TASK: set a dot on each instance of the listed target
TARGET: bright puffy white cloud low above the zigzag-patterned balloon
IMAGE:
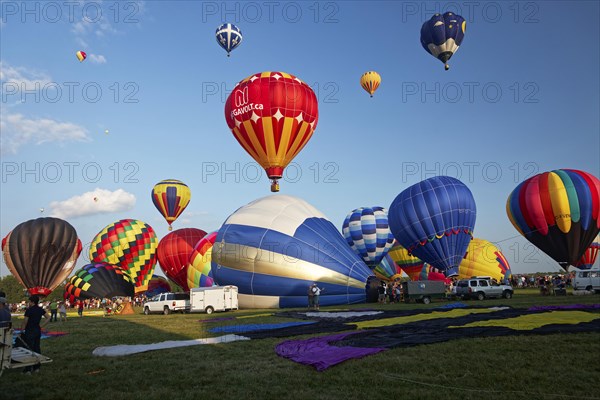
(98, 201)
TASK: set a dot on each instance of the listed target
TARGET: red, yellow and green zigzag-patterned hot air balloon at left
(129, 244)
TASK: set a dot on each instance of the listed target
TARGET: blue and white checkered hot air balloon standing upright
(367, 231)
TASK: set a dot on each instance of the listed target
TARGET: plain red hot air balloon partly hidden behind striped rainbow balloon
(174, 253)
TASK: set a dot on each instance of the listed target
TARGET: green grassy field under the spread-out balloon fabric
(560, 366)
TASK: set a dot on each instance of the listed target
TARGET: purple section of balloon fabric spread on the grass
(318, 353)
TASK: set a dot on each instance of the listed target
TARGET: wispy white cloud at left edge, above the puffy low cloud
(18, 131)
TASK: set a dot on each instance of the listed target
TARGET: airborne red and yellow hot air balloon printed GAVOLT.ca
(272, 115)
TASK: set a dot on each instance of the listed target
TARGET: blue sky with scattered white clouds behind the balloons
(522, 96)
